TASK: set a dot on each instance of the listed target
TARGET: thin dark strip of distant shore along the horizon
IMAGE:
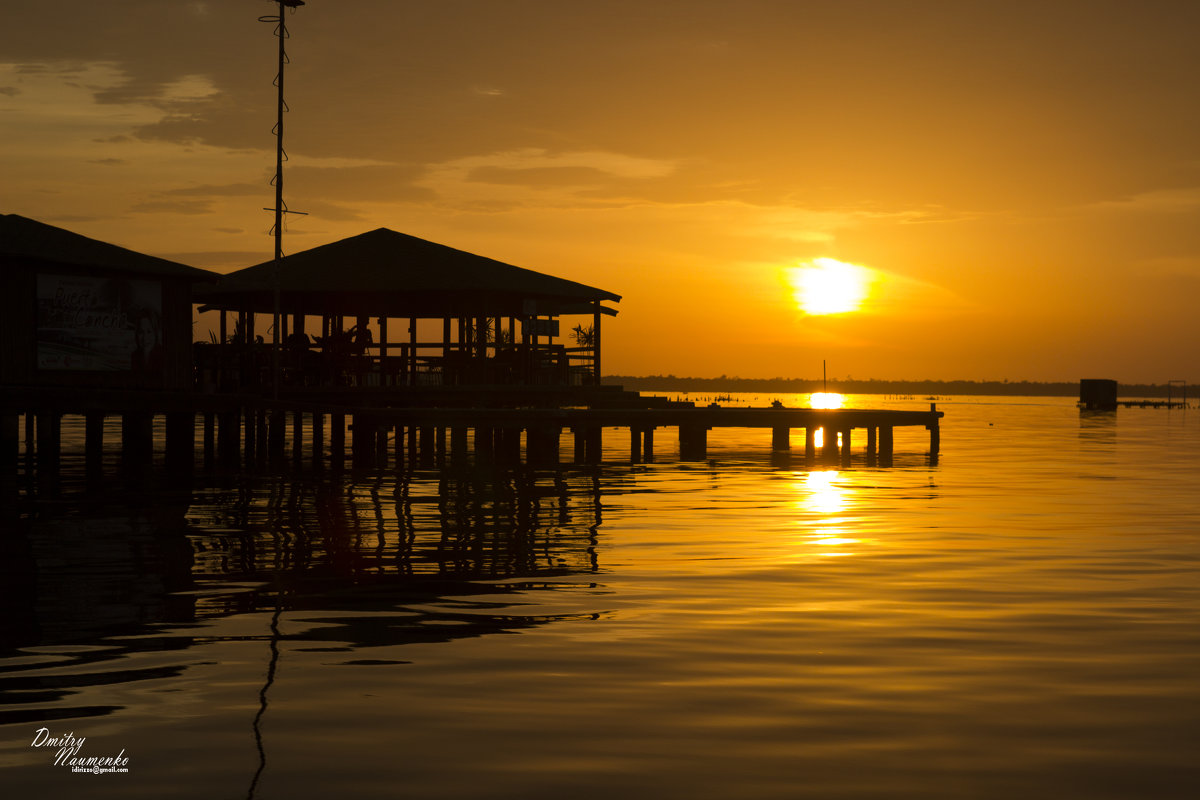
(914, 388)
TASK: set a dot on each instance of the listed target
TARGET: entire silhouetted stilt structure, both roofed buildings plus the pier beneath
(395, 352)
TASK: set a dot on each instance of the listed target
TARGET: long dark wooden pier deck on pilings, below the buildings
(230, 432)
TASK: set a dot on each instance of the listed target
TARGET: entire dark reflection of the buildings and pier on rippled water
(399, 562)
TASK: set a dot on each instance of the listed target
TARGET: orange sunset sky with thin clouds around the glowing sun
(1017, 184)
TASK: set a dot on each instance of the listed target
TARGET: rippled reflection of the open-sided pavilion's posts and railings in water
(466, 525)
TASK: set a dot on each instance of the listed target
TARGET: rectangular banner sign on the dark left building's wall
(99, 324)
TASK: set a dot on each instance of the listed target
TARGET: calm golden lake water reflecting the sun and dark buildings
(1021, 619)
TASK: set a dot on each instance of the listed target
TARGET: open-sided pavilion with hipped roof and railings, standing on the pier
(388, 310)
